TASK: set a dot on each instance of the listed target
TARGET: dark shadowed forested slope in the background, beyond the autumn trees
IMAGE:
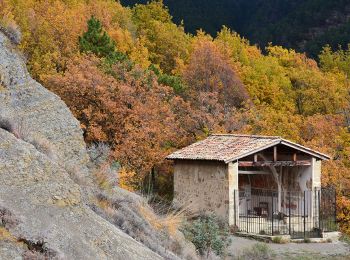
(305, 25)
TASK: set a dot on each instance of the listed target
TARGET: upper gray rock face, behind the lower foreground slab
(42, 112)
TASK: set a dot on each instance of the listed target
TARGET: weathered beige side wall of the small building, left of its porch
(204, 185)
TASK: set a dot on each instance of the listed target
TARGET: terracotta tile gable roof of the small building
(227, 148)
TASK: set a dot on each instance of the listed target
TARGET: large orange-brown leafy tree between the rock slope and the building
(133, 115)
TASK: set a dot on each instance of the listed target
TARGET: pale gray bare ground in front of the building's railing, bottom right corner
(335, 250)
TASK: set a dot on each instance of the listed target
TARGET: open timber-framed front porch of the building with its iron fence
(279, 193)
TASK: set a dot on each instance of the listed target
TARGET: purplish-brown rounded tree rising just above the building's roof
(214, 88)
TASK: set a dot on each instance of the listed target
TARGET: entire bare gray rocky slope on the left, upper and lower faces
(42, 212)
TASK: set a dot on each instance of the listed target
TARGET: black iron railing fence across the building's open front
(300, 214)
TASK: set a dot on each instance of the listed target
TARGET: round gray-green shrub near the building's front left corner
(208, 234)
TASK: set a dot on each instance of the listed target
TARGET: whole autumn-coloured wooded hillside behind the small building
(156, 88)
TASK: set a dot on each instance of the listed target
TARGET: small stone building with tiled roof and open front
(245, 177)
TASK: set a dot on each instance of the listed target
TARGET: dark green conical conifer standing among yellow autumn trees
(96, 40)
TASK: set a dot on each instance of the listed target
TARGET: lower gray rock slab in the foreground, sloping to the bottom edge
(47, 207)
